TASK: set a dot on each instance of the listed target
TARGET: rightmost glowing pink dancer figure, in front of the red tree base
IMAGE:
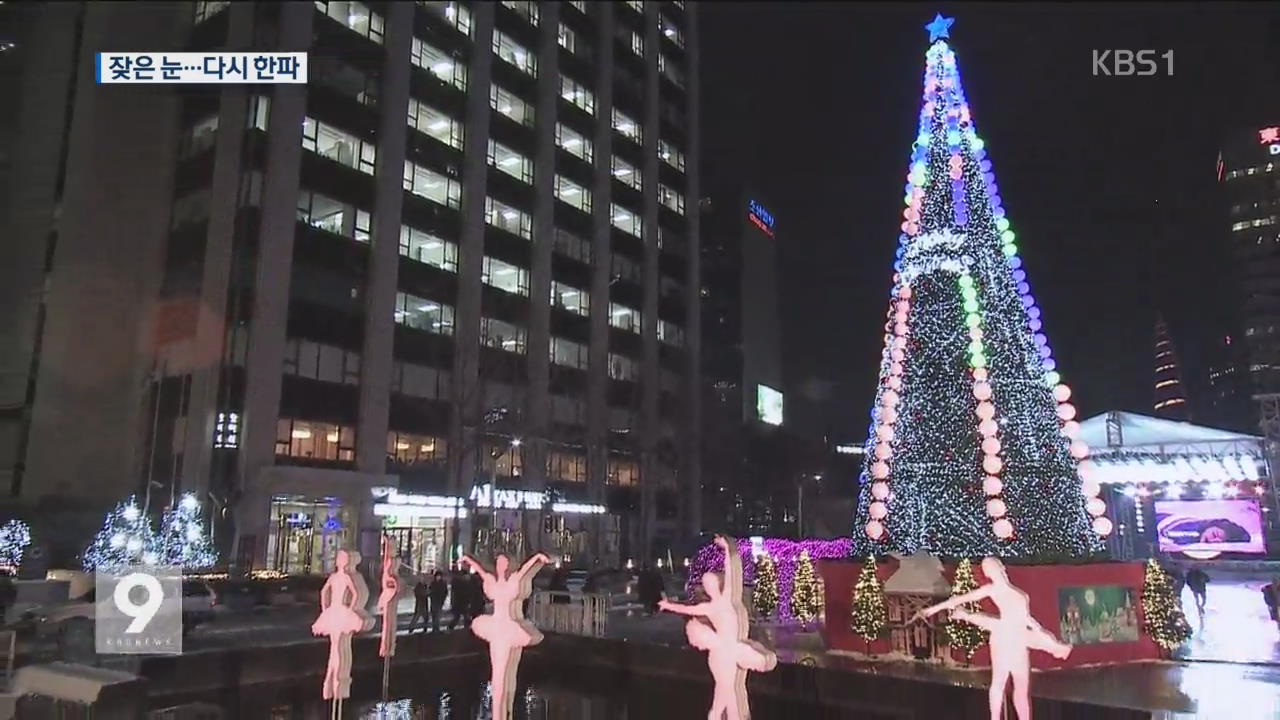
(1014, 634)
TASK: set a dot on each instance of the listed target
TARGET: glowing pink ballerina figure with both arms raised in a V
(506, 631)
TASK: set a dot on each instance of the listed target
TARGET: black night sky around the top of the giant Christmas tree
(1109, 181)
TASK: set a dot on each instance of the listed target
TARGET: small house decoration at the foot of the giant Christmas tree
(917, 585)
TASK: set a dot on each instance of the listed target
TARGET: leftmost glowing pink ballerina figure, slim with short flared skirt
(342, 614)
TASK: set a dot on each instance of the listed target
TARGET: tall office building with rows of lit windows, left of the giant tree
(444, 290)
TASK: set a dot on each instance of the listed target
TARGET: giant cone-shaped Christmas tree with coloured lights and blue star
(972, 445)
